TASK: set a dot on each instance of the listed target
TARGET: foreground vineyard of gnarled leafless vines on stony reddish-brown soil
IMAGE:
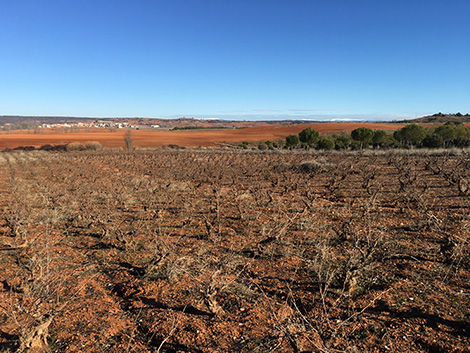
(212, 251)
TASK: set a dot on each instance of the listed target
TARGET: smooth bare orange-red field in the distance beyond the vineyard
(189, 138)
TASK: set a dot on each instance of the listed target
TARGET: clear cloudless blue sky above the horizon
(235, 59)
